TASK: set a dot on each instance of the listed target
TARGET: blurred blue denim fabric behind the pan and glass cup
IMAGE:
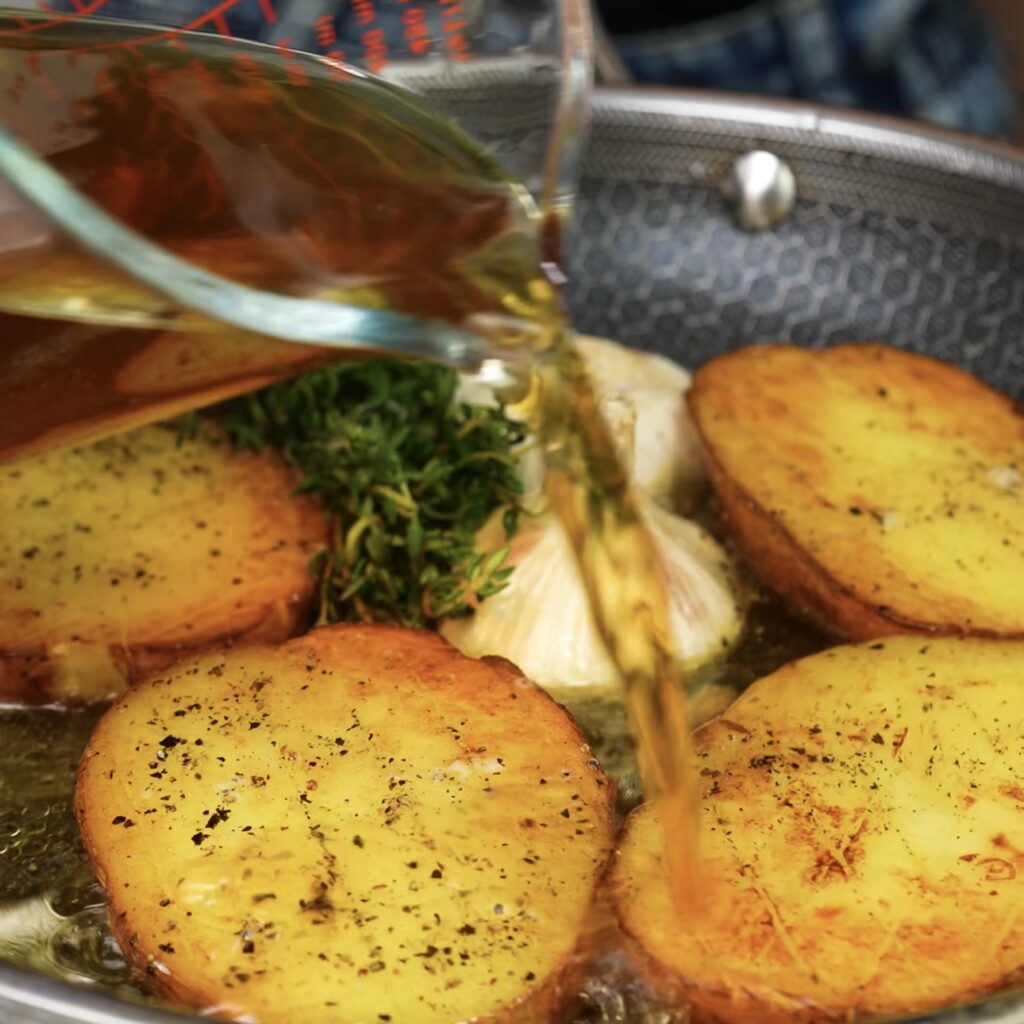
(934, 60)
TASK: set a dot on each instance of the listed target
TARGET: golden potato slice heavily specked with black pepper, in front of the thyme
(359, 826)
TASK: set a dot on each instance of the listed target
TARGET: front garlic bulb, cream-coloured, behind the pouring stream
(542, 621)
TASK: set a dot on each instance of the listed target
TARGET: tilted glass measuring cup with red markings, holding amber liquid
(142, 300)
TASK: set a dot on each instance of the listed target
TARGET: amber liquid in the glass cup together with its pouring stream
(287, 175)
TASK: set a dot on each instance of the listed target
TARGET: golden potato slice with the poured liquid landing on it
(864, 839)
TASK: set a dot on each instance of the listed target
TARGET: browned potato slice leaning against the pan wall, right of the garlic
(879, 491)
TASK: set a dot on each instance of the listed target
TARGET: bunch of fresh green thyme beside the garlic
(407, 477)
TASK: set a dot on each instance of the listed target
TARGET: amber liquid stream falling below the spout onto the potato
(590, 493)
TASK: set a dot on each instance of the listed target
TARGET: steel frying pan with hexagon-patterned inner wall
(901, 234)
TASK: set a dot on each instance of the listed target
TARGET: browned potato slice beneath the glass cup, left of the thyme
(118, 558)
